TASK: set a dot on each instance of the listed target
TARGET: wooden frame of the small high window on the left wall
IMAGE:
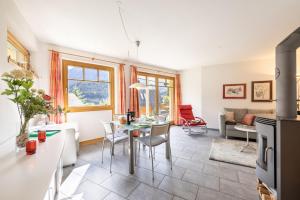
(21, 48)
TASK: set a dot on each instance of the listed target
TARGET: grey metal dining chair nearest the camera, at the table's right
(159, 134)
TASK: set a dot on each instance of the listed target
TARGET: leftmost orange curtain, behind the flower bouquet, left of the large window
(56, 87)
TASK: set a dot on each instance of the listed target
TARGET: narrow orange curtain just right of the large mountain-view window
(122, 90)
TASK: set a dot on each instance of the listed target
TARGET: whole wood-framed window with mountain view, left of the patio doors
(88, 87)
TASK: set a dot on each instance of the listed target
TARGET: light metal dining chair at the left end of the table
(113, 136)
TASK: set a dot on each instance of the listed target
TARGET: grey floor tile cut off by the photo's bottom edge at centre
(146, 192)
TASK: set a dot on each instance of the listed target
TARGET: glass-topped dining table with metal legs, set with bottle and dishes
(136, 126)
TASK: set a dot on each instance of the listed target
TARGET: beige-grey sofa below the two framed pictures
(229, 130)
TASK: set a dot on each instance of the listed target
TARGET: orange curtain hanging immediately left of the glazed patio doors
(134, 95)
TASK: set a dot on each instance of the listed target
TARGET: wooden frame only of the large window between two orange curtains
(65, 64)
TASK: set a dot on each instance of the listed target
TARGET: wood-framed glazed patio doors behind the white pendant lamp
(158, 98)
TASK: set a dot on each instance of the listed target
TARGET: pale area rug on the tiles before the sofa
(229, 151)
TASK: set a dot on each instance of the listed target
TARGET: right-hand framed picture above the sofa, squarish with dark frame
(261, 91)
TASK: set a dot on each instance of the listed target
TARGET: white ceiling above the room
(174, 34)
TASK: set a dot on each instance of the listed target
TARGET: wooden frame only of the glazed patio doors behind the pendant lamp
(157, 77)
